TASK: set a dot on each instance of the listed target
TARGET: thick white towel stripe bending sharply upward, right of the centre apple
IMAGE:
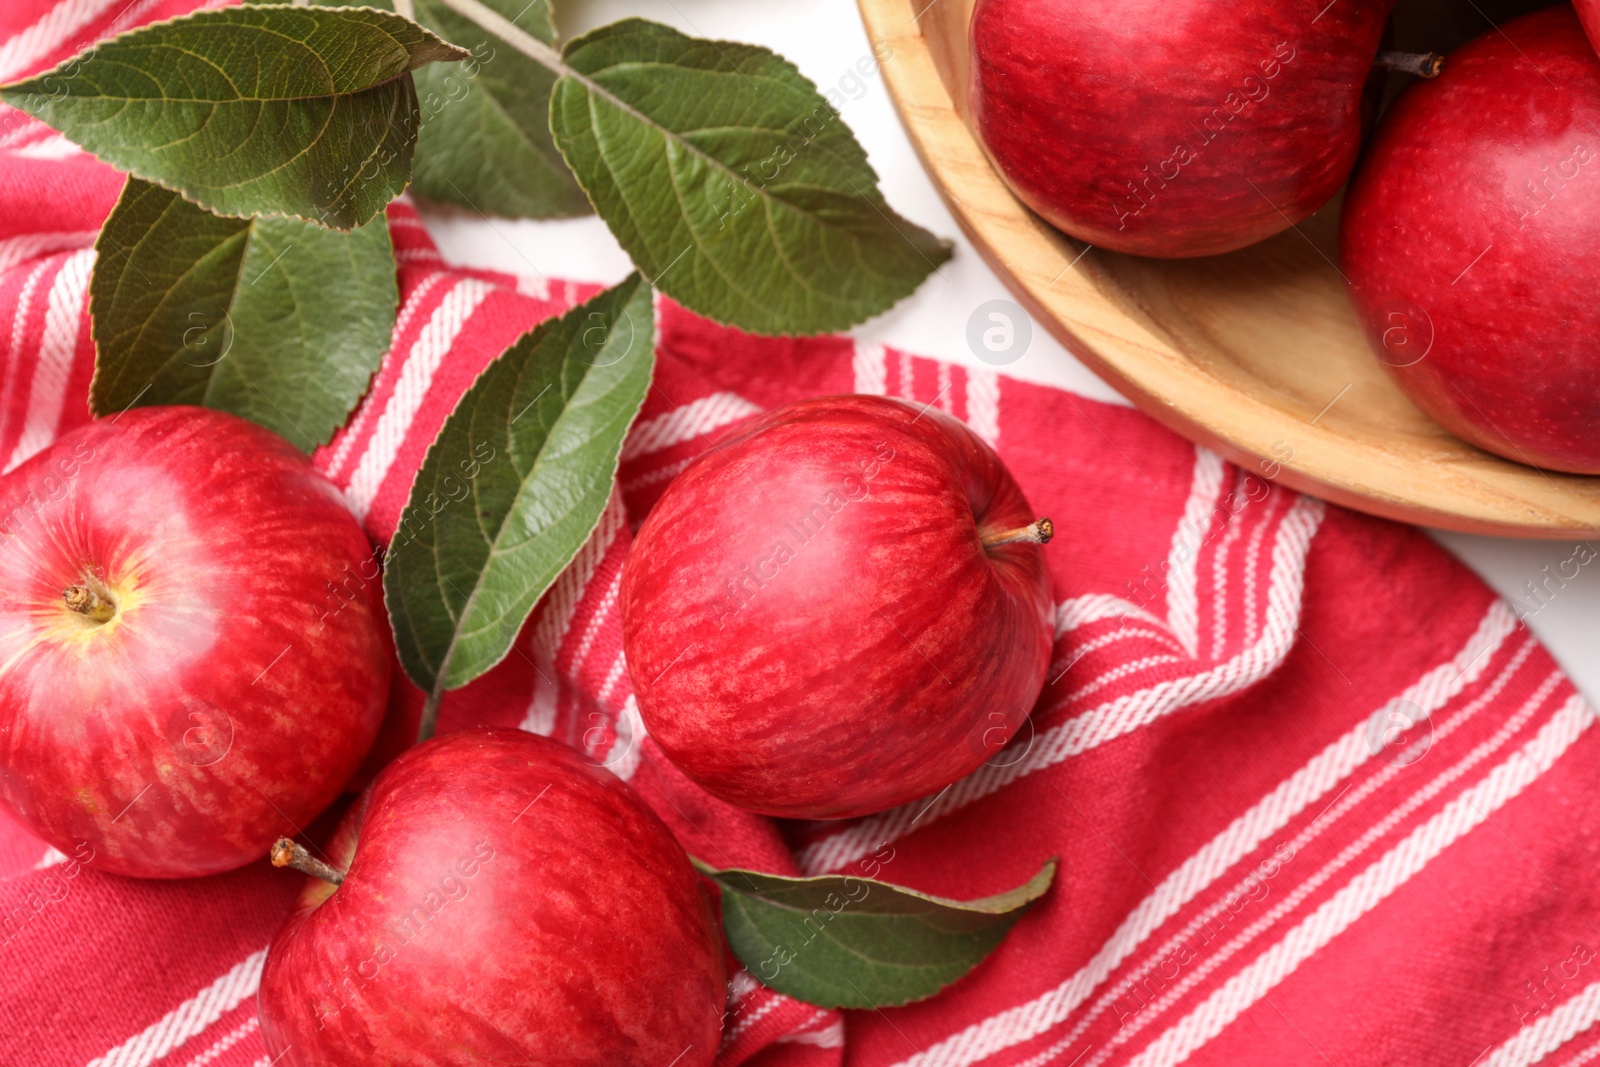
(1113, 719)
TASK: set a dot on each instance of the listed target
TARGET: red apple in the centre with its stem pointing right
(823, 615)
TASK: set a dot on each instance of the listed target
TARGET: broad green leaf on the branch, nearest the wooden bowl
(732, 183)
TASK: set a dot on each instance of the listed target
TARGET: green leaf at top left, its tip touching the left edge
(308, 113)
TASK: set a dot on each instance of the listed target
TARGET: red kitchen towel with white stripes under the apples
(1319, 797)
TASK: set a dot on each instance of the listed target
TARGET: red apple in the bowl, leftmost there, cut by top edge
(1174, 127)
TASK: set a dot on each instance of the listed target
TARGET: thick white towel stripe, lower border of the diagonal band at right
(1370, 889)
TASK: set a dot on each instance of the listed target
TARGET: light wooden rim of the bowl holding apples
(1460, 489)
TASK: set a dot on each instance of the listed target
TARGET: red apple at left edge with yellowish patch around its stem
(178, 687)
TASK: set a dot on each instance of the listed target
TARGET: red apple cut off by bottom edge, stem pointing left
(506, 901)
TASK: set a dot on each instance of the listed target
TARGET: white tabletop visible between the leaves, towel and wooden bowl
(826, 39)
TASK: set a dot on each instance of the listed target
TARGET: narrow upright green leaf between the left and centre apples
(514, 487)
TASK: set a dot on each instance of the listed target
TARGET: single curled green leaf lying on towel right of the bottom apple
(839, 941)
